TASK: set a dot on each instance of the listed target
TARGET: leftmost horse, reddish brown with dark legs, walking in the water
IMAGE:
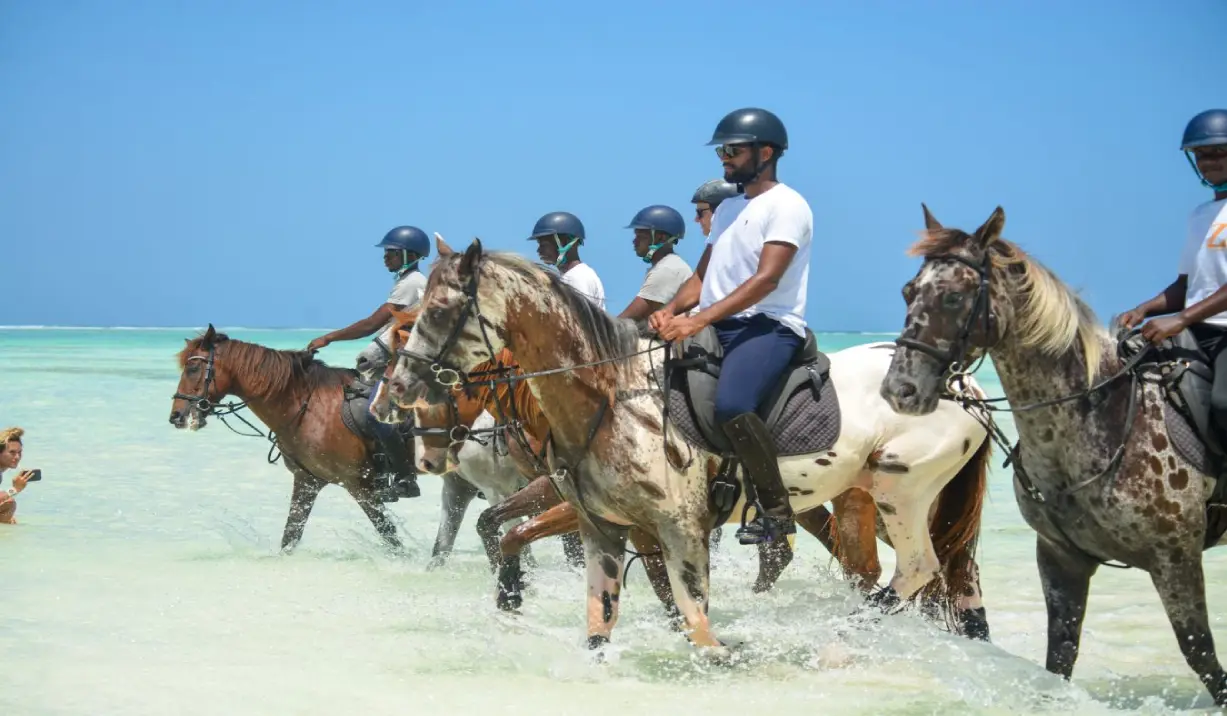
(300, 400)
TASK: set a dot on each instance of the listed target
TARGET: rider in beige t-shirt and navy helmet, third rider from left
(657, 229)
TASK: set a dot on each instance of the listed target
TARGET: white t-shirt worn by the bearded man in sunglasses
(740, 227)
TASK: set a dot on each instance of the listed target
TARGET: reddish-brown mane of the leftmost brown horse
(268, 372)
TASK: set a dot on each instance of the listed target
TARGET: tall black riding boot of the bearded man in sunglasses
(756, 451)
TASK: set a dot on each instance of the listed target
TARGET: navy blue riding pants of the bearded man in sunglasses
(758, 350)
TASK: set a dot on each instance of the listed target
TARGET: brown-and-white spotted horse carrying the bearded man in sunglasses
(594, 377)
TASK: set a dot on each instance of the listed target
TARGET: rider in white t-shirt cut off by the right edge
(1199, 292)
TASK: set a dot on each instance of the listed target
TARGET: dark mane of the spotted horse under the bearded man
(610, 338)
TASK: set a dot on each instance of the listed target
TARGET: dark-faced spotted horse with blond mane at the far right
(1096, 473)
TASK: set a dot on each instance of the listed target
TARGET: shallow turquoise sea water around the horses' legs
(145, 578)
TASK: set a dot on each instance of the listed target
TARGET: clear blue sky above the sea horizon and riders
(172, 164)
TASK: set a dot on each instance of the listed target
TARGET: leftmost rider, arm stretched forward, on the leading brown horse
(404, 249)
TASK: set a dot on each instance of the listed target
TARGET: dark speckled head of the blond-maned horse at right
(955, 314)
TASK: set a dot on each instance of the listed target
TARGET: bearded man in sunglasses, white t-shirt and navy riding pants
(752, 288)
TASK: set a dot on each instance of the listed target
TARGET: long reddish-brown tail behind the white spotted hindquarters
(955, 531)
